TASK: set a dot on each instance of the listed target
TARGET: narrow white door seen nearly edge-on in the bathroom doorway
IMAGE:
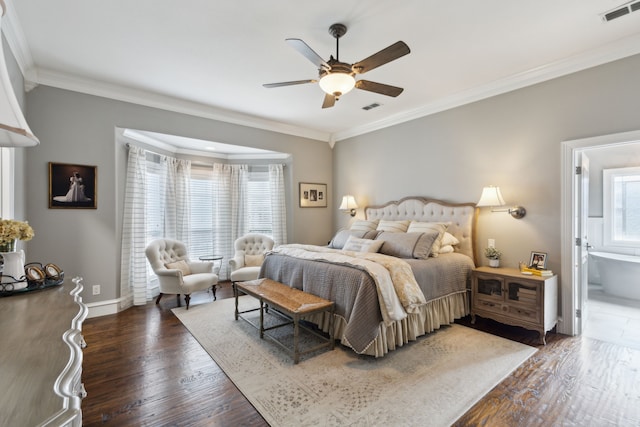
(581, 273)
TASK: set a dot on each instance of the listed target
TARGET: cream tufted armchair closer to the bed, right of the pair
(249, 254)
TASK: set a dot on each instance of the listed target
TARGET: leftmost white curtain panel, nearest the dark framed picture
(133, 275)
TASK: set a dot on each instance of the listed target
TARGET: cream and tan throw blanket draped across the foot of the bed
(397, 288)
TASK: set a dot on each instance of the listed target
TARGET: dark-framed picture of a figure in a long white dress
(72, 186)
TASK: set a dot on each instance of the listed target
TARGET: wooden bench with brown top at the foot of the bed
(292, 304)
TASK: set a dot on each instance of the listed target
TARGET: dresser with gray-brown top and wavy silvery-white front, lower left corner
(41, 357)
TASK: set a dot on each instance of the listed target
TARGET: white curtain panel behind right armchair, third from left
(229, 207)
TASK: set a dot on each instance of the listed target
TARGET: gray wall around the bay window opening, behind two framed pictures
(80, 129)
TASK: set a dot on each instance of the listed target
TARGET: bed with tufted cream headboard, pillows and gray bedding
(430, 290)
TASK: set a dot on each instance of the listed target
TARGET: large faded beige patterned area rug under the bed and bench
(430, 382)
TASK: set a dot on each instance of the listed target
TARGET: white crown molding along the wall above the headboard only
(608, 53)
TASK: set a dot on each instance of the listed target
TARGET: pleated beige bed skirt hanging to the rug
(431, 316)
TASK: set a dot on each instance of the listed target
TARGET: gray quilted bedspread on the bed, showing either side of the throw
(354, 291)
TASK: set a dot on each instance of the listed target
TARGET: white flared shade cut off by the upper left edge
(14, 131)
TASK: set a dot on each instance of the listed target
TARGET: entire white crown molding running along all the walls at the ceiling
(33, 76)
